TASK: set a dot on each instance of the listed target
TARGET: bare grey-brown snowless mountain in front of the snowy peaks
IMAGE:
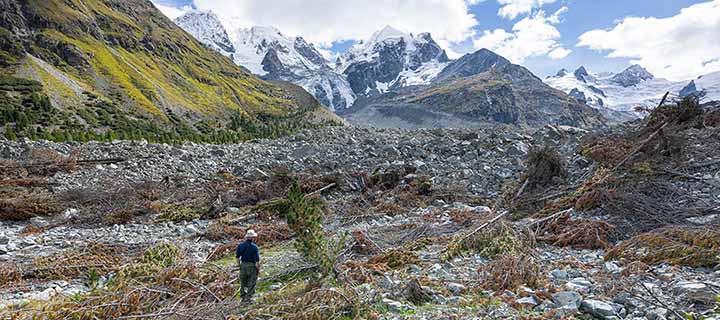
(476, 90)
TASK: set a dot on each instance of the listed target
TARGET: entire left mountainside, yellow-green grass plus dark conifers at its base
(105, 69)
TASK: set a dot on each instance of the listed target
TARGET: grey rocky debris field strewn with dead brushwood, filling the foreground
(559, 223)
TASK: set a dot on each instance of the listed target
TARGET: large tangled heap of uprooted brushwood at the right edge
(634, 186)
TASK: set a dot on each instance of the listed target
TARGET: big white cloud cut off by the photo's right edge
(680, 47)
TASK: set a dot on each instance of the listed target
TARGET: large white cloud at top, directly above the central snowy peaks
(326, 21)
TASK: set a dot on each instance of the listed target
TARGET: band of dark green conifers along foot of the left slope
(27, 112)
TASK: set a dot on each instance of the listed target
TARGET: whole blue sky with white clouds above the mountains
(674, 39)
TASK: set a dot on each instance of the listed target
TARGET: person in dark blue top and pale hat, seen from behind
(248, 257)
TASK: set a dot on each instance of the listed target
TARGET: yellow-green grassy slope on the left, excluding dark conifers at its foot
(128, 57)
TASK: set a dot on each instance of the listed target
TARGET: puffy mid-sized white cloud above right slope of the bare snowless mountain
(534, 35)
